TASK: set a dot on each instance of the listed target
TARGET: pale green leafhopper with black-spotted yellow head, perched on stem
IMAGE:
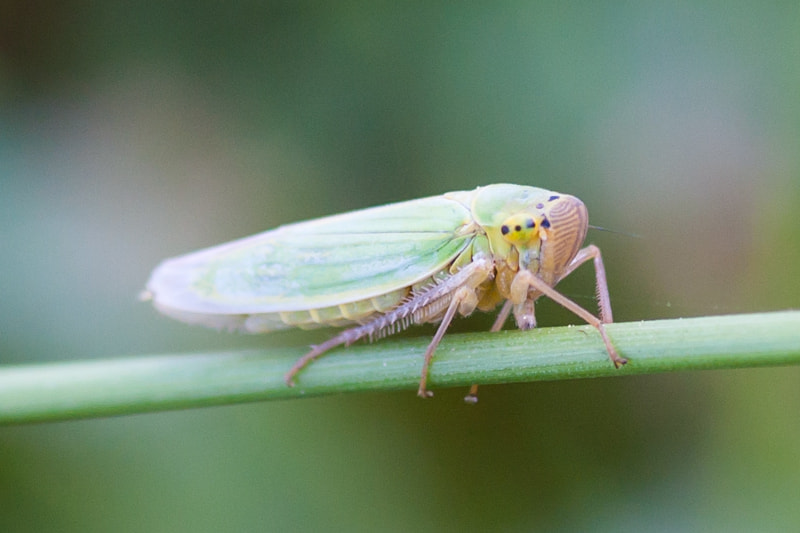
(378, 270)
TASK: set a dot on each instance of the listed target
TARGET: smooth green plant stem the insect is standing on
(80, 389)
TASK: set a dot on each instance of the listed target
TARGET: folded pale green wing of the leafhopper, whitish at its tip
(323, 262)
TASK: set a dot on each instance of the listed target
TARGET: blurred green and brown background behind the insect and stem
(130, 132)
